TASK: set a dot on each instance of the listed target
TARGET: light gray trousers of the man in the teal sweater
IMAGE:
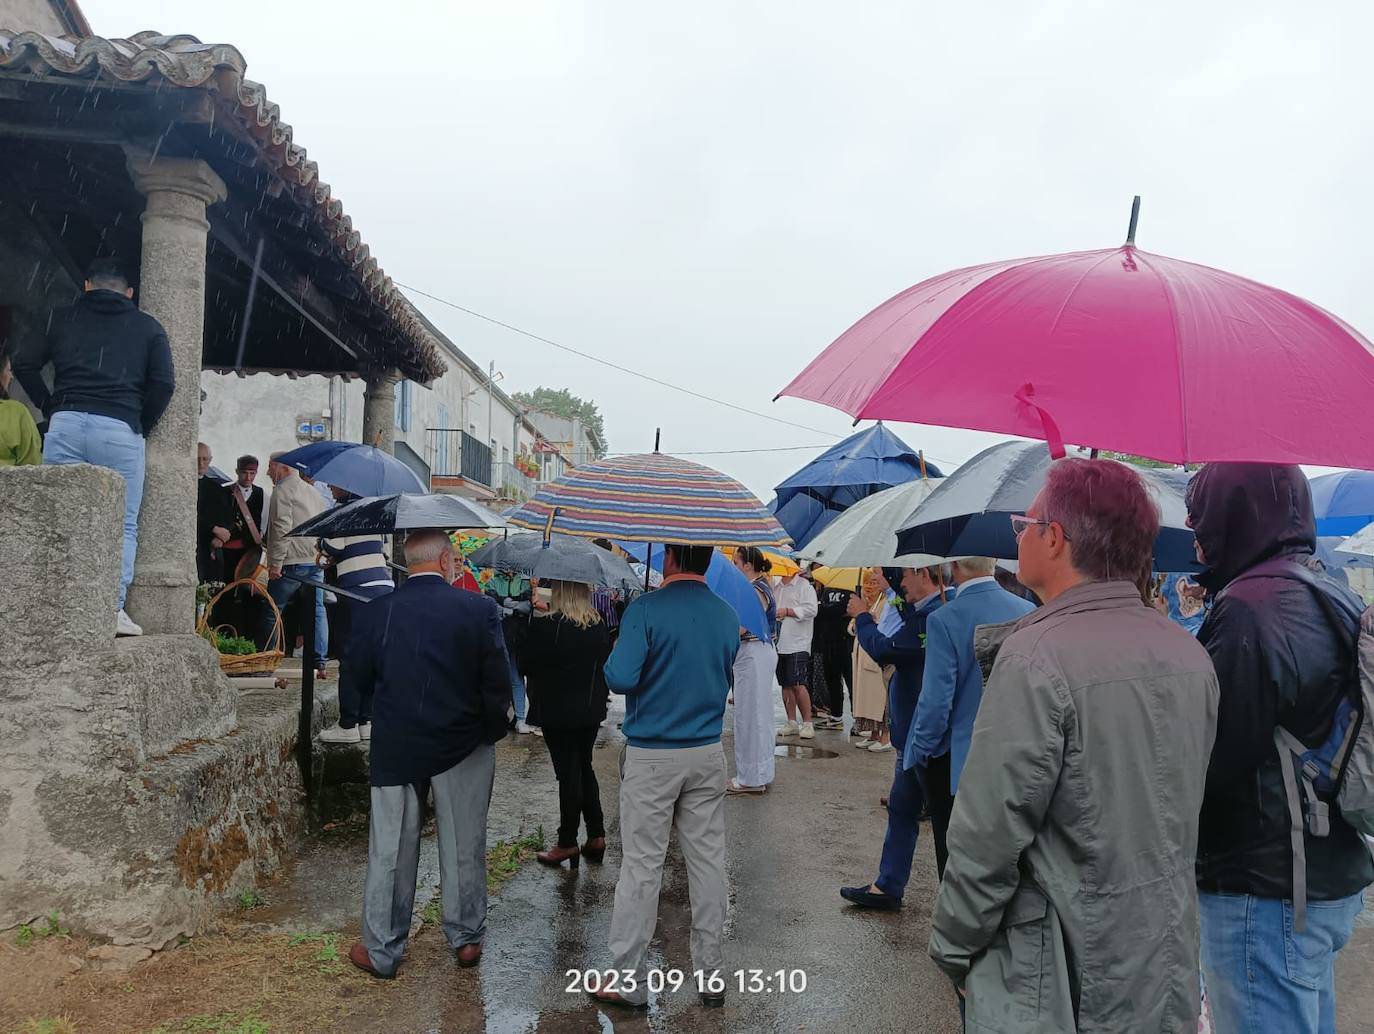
(660, 790)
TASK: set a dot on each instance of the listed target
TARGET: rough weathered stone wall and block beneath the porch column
(137, 789)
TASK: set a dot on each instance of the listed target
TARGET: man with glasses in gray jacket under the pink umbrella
(1068, 901)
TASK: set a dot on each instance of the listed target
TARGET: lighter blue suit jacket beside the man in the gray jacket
(953, 685)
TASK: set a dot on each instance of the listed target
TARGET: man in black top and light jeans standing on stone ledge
(112, 381)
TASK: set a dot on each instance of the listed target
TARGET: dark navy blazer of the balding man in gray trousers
(438, 660)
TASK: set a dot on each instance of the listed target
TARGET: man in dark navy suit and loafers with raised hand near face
(923, 594)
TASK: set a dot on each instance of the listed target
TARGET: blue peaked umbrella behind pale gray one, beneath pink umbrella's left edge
(862, 465)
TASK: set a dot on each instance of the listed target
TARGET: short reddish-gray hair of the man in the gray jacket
(1108, 516)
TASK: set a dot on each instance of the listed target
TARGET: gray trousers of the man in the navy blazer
(394, 855)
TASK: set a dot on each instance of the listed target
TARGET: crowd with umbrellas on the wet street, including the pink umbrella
(1130, 702)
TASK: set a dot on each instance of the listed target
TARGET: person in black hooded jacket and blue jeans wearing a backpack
(1280, 661)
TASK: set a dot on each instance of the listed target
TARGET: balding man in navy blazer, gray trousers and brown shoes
(438, 661)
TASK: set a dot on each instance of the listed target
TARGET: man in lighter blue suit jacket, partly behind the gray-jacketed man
(953, 687)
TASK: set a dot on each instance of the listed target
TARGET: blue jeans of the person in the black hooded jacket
(1261, 976)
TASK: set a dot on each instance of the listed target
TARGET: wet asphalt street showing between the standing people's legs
(788, 855)
